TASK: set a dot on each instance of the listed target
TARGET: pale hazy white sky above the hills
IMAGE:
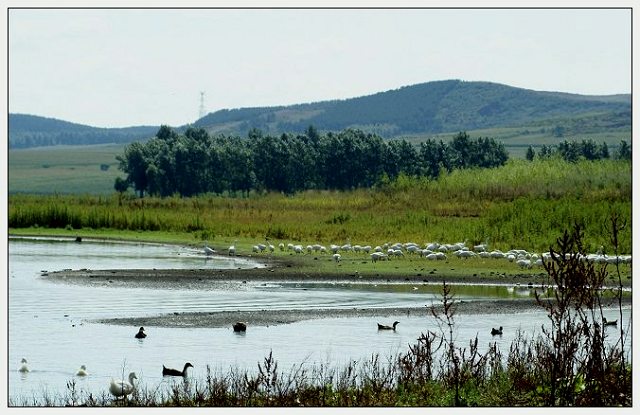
(120, 67)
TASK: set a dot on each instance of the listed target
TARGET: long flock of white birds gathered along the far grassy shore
(432, 251)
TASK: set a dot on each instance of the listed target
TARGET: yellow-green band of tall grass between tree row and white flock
(522, 204)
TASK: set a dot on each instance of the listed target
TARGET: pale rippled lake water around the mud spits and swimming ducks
(51, 324)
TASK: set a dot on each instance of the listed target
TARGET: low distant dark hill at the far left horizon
(34, 131)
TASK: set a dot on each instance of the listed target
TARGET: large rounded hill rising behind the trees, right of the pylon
(428, 108)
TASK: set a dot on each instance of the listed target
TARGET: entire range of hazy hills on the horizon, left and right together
(423, 109)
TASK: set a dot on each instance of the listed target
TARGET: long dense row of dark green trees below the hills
(195, 162)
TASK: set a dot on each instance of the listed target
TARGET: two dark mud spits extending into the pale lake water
(285, 271)
